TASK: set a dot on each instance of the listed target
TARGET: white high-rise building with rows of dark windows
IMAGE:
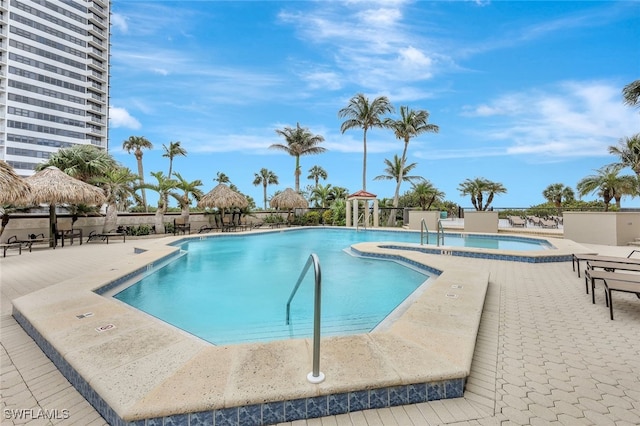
(54, 78)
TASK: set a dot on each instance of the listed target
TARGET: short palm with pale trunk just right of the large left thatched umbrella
(118, 184)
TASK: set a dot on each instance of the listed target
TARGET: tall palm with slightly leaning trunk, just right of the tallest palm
(410, 125)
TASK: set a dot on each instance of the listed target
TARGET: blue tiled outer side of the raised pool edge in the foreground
(259, 414)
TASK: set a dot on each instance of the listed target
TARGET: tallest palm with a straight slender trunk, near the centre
(365, 115)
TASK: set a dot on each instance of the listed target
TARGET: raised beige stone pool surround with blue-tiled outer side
(139, 368)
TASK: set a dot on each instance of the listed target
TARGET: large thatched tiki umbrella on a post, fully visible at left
(52, 186)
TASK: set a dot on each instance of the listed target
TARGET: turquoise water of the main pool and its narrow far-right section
(234, 288)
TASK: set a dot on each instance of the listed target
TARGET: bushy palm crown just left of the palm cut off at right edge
(608, 184)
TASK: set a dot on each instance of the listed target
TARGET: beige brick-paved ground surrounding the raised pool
(545, 354)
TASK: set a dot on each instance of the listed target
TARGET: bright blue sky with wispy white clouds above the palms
(526, 93)
